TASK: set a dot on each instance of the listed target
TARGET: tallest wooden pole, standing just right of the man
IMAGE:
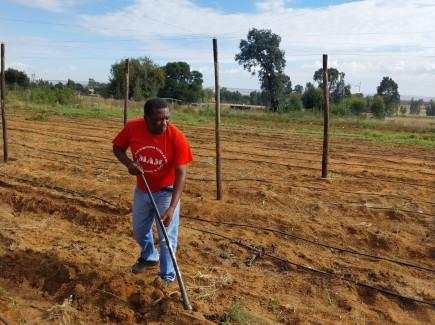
(218, 121)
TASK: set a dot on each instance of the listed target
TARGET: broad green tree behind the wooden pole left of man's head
(145, 79)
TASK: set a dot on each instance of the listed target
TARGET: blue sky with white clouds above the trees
(367, 39)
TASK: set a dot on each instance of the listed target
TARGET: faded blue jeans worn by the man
(143, 220)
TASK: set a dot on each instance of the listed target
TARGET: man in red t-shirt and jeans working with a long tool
(161, 153)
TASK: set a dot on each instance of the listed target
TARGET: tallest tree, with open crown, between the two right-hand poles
(260, 53)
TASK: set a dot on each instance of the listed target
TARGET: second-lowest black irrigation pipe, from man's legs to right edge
(313, 242)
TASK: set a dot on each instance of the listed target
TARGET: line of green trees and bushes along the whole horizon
(259, 54)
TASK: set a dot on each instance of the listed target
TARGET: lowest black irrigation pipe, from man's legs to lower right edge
(327, 274)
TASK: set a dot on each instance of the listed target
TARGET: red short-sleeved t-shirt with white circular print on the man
(158, 154)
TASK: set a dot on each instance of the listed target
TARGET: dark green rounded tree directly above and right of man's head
(181, 83)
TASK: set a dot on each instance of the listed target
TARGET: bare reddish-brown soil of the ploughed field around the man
(282, 245)
